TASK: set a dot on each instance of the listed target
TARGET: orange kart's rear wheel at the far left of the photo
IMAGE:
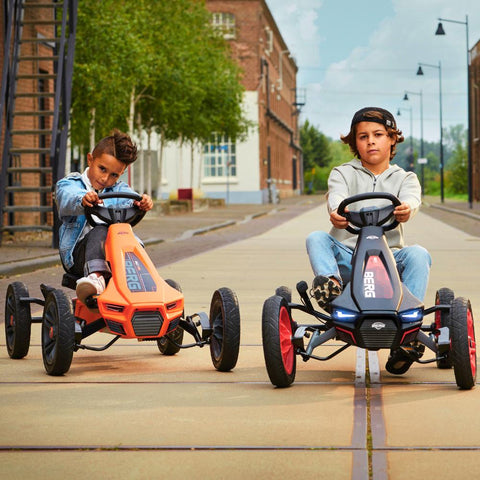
(18, 321)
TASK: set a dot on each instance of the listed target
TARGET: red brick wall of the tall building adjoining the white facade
(253, 20)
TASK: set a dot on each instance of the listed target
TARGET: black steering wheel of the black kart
(369, 216)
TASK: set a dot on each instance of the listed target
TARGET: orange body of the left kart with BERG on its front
(137, 302)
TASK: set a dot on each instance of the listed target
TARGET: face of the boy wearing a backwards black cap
(374, 146)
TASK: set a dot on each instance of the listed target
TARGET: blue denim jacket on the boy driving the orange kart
(69, 192)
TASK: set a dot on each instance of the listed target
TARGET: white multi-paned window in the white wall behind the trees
(219, 153)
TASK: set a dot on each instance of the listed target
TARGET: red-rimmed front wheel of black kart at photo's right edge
(464, 356)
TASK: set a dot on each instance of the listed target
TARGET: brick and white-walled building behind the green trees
(268, 165)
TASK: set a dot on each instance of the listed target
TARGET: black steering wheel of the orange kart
(111, 215)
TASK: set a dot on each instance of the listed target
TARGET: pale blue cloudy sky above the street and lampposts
(352, 54)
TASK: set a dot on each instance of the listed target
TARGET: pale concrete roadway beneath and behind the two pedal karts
(131, 413)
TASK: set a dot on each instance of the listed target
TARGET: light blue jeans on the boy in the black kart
(331, 258)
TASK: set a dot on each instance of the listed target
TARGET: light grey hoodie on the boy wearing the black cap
(352, 178)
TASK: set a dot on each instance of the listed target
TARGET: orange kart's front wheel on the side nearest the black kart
(225, 323)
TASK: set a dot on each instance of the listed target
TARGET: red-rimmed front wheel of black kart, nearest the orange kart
(278, 349)
